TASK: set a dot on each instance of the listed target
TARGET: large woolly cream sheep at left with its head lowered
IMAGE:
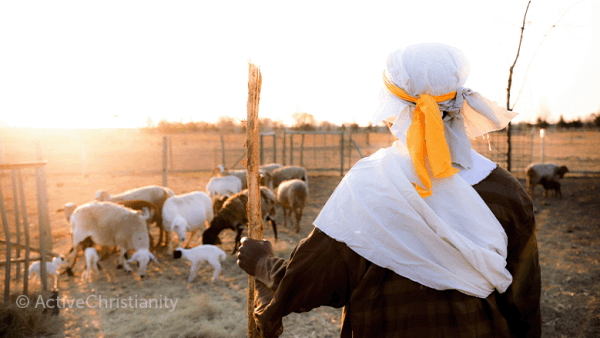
(110, 224)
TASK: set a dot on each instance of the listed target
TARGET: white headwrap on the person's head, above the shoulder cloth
(438, 69)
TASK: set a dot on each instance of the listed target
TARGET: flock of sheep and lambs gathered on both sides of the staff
(124, 220)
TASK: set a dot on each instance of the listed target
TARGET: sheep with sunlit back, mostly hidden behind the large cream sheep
(154, 194)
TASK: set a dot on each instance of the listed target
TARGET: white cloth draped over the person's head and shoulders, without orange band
(450, 239)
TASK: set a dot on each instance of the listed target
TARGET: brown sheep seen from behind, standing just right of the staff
(292, 195)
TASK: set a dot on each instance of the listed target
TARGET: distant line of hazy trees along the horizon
(305, 122)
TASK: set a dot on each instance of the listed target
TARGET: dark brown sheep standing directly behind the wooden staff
(233, 216)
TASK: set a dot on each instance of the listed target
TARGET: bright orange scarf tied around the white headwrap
(426, 137)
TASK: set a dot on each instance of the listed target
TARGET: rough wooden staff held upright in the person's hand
(255, 226)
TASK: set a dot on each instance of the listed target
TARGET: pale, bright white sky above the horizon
(115, 64)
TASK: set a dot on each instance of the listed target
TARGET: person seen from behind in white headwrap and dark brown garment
(426, 238)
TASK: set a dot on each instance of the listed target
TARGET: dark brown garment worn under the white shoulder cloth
(379, 303)
